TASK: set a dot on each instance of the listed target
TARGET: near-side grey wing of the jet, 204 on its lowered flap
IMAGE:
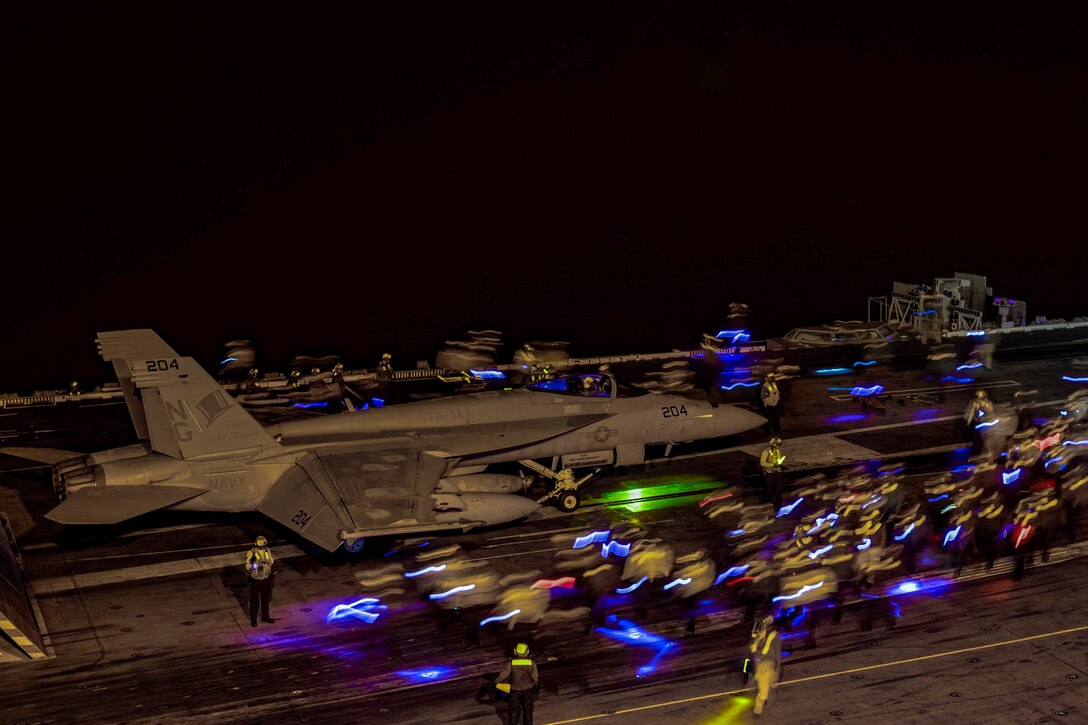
(387, 490)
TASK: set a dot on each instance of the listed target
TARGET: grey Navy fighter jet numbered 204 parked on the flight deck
(337, 480)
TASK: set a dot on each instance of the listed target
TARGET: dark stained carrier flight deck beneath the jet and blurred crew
(149, 622)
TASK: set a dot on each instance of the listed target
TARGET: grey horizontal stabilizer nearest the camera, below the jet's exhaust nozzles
(113, 505)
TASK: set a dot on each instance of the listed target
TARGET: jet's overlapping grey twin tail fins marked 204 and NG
(175, 403)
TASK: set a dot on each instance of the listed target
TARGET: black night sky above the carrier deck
(370, 180)
